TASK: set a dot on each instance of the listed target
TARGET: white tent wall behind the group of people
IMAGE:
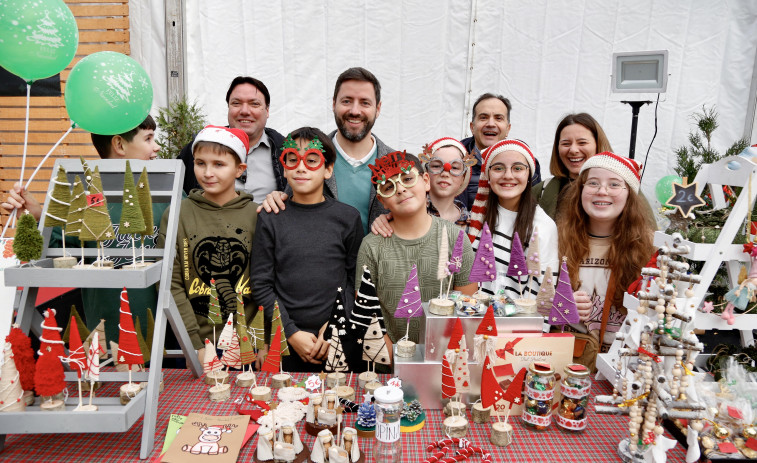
(549, 57)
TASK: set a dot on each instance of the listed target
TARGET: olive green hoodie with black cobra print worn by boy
(212, 242)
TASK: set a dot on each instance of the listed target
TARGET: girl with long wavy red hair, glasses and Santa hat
(606, 237)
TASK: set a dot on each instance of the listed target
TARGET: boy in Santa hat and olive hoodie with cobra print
(214, 237)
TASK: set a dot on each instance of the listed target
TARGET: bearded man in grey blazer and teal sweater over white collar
(356, 105)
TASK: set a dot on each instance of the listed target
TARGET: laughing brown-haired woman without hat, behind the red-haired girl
(578, 137)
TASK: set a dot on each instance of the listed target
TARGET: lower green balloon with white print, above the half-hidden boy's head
(108, 93)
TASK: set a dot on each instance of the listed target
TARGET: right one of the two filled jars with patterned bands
(575, 389)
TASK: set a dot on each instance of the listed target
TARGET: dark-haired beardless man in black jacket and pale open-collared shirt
(249, 100)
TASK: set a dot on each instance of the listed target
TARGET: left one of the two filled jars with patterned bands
(540, 389)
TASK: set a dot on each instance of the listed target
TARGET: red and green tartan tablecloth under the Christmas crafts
(184, 394)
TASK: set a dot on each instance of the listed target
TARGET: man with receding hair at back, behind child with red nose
(490, 123)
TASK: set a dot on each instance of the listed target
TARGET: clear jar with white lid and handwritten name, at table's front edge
(388, 406)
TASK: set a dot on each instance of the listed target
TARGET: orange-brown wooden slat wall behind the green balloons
(103, 26)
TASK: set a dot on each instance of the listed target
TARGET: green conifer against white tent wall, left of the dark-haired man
(178, 124)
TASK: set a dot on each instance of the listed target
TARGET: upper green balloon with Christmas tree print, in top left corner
(38, 38)
